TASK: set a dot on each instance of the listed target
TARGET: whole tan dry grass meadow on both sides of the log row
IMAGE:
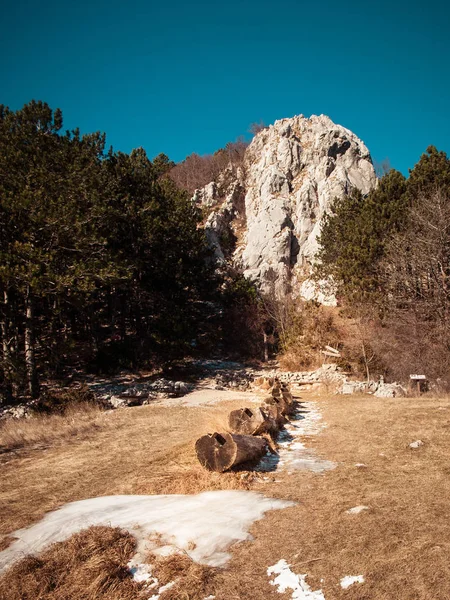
(400, 545)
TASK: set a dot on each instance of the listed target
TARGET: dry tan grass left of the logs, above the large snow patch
(142, 450)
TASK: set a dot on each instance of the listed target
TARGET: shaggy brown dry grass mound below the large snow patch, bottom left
(89, 565)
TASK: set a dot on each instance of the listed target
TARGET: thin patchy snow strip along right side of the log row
(293, 455)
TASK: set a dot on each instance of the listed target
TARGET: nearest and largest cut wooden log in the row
(222, 451)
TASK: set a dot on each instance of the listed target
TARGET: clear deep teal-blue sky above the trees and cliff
(179, 77)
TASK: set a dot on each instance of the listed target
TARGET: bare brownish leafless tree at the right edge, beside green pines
(416, 277)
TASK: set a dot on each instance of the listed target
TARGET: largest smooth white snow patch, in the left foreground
(203, 525)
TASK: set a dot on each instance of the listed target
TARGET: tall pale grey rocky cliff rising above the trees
(265, 216)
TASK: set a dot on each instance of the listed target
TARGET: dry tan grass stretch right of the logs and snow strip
(401, 544)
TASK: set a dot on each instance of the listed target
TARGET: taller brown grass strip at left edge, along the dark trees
(42, 430)
